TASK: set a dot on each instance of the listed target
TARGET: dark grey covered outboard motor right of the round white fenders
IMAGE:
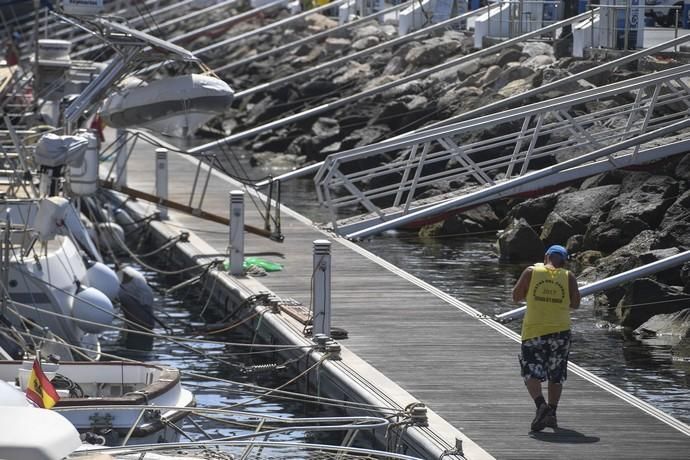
(136, 301)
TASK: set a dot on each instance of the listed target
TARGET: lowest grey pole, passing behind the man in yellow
(611, 281)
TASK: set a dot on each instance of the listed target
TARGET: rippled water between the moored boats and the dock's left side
(178, 315)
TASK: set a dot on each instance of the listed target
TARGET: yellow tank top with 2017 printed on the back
(548, 302)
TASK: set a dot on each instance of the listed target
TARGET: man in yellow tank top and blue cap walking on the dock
(550, 291)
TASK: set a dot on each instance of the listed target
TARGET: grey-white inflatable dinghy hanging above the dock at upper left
(175, 106)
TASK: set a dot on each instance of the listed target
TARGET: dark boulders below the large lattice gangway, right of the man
(611, 223)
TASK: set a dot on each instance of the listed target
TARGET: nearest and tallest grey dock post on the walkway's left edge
(321, 288)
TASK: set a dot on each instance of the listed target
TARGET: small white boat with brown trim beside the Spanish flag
(90, 393)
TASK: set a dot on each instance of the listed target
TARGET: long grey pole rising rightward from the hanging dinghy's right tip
(358, 54)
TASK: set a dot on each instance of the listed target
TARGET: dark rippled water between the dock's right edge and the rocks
(469, 269)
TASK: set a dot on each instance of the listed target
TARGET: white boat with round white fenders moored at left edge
(48, 284)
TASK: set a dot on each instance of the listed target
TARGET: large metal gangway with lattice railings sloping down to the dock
(507, 153)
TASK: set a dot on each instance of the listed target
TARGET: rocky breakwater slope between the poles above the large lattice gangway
(402, 108)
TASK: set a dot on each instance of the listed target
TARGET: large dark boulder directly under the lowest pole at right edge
(645, 298)
